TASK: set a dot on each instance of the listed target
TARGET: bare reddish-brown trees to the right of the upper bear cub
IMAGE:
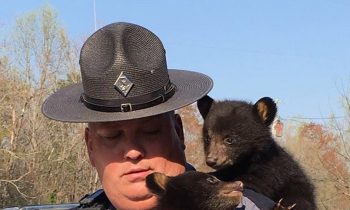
(319, 150)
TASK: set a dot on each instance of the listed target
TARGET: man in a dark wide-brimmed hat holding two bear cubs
(128, 97)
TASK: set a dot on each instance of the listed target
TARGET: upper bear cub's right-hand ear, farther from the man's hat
(265, 109)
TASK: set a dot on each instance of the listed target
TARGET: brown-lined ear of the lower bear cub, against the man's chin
(156, 182)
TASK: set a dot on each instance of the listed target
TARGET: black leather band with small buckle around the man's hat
(131, 104)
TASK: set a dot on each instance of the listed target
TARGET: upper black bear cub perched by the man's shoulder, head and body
(239, 145)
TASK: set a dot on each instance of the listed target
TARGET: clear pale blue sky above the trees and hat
(297, 52)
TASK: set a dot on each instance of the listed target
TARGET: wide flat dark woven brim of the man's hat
(65, 105)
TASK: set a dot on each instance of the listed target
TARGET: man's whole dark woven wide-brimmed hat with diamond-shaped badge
(124, 77)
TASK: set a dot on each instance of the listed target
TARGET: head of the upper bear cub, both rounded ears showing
(234, 130)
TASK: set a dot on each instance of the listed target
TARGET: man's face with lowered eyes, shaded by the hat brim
(125, 152)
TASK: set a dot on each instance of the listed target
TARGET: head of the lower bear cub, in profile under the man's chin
(194, 190)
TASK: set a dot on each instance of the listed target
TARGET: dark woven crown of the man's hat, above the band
(123, 49)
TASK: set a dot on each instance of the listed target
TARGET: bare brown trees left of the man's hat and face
(42, 160)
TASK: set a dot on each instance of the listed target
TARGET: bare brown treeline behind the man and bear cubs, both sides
(44, 161)
